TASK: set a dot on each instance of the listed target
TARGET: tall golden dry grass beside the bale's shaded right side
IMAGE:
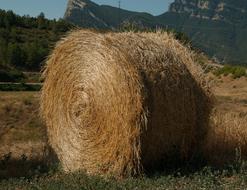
(226, 142)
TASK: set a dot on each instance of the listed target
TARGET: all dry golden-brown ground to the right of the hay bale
(226, 141)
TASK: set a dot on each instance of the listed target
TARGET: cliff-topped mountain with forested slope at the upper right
(217, 27)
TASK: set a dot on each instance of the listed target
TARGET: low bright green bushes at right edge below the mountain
(235, 71)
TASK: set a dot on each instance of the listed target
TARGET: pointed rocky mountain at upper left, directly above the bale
(86, 13)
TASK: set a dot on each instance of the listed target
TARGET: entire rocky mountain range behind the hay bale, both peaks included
(217, 27)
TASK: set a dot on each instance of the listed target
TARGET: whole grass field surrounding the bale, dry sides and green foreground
(28, 163)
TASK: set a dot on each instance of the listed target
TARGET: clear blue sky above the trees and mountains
(56, 8)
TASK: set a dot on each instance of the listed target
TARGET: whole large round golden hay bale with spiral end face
(118, 103)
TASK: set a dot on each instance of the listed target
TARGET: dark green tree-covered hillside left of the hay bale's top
(25, 42)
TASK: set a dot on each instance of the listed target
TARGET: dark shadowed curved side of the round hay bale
(179, 121)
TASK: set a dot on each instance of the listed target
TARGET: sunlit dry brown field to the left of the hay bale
(21, 130)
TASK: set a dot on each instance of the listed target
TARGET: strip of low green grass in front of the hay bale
(234, 177)
